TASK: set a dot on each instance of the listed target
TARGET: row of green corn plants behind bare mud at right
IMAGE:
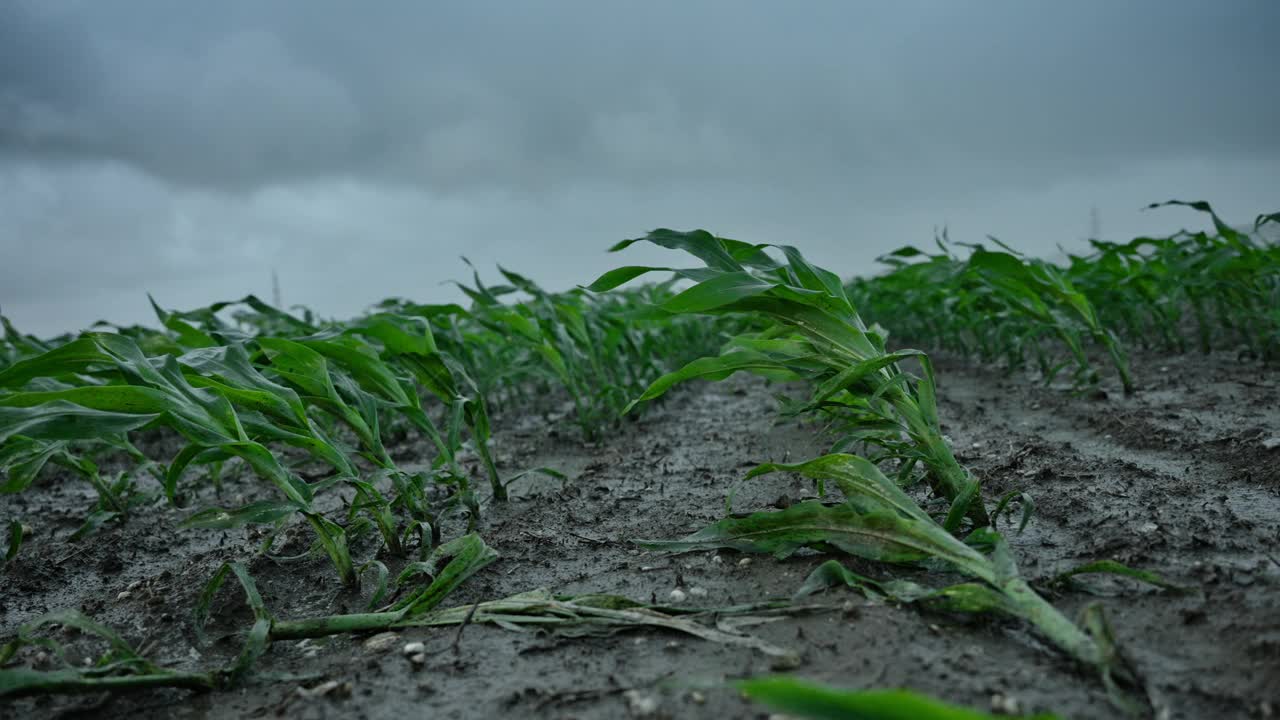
(1217, 289)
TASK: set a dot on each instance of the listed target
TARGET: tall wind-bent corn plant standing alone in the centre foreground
(817, 335)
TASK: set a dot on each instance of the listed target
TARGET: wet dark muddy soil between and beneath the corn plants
(1177, 479)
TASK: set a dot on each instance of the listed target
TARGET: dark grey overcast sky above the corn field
(188, 149)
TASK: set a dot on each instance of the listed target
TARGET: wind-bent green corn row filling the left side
(263, 380)
